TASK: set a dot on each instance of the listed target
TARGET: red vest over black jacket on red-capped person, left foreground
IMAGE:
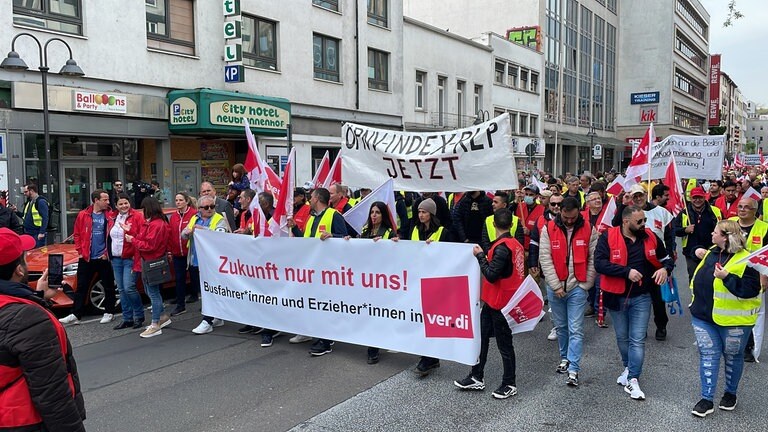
(16, 406)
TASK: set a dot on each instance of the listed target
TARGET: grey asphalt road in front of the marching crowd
(224, 381)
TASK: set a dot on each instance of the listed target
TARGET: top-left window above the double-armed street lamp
(57, 15)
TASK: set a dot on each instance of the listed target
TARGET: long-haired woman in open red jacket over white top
(123, 221)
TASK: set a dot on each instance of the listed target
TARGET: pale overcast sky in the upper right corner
(741, 45)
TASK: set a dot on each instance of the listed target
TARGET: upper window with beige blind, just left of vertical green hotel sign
(171, 25)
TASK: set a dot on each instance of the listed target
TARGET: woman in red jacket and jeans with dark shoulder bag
(151, 243)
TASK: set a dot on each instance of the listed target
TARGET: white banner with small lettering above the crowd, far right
(699, 157)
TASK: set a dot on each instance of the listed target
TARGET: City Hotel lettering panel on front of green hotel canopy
(259, 115)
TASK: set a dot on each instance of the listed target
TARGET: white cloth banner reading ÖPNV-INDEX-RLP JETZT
(475, 158)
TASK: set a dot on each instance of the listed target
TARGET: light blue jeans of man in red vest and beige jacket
(568, 316)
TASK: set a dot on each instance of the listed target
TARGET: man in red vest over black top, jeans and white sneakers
(631, 261)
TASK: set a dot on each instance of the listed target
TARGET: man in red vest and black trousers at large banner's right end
(503, 271)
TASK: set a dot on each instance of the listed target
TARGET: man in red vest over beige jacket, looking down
(566, 256)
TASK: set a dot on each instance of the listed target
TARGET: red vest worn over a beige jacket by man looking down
(561, 252)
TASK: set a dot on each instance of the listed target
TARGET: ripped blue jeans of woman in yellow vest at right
(715, 341)
